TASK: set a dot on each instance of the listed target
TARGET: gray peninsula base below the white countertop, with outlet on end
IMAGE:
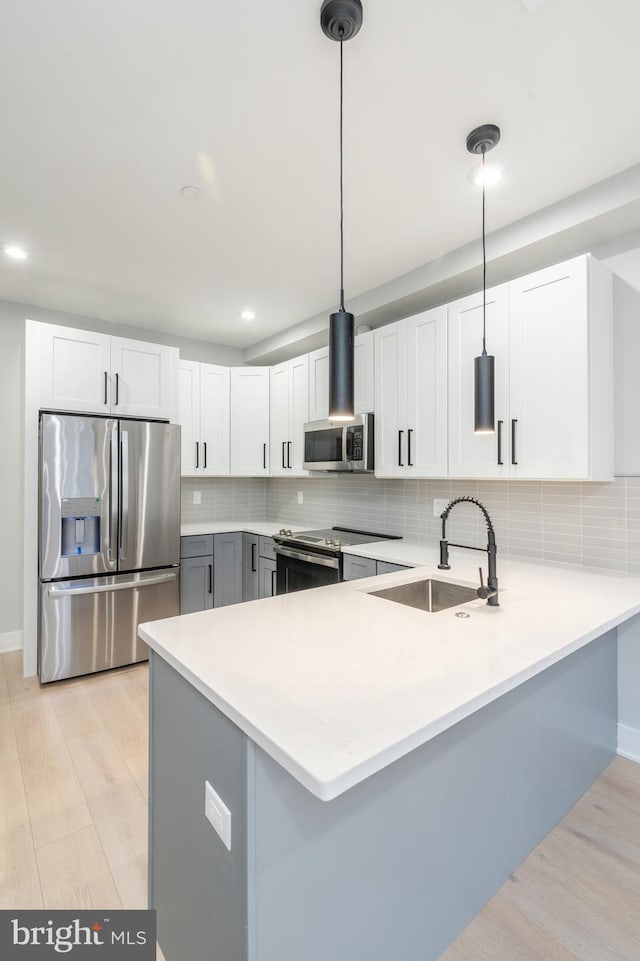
(393, 868)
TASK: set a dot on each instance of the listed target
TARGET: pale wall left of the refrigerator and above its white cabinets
(12, 318)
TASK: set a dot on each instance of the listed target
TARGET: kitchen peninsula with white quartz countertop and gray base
(385, 768)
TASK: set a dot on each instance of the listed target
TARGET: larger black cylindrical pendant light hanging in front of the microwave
(341, 20)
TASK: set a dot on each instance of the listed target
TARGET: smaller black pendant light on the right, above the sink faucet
(480, 141)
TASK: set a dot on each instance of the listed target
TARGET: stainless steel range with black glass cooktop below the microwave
(307, 559)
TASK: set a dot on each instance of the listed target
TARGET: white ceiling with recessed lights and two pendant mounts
(108, 109)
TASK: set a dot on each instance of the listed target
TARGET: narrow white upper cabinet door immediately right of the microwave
(391, 400)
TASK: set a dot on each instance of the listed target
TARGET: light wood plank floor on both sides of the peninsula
(73, 828)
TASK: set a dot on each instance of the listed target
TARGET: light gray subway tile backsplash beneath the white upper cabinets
(584, 524)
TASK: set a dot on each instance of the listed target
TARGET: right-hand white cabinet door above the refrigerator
(144, 379)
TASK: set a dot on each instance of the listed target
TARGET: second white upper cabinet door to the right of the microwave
(426, 349)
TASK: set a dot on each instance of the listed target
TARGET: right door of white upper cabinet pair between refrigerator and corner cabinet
(214, 420)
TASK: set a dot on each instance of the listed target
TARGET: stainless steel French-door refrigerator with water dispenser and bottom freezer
(109, 539)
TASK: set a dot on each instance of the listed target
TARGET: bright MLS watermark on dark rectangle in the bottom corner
(26, 935)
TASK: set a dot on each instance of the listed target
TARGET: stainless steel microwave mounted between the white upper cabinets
(331, 446)
